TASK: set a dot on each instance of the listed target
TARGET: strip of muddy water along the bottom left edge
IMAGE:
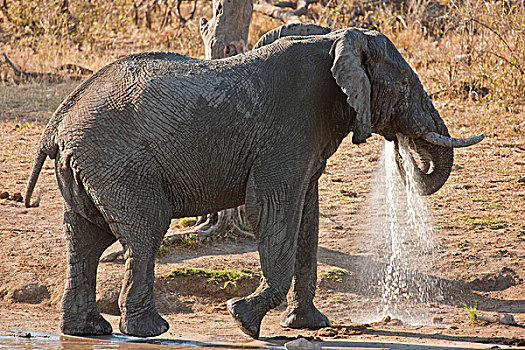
(23, 340)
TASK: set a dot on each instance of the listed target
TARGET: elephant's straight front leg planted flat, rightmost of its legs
(301, 312)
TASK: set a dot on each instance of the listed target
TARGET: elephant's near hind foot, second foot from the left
(145, 324)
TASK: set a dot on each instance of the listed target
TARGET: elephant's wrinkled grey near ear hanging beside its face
(349, 51)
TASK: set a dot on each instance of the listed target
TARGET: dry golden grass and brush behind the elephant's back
(461, 48)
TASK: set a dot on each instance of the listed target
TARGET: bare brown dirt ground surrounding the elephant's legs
(479, 221)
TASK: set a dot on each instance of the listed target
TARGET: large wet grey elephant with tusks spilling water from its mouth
(156, 136)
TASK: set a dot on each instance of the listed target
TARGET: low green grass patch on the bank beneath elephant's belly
(213, 276)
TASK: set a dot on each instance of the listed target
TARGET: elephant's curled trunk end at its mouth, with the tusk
(432, 156)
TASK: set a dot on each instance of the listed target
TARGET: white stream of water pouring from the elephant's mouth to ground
(404, 241)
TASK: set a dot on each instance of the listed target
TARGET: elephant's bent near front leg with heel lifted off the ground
(275, 216)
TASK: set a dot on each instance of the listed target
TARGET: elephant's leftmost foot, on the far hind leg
(93, 324)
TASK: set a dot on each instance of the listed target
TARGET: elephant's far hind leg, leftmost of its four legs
(87, 242)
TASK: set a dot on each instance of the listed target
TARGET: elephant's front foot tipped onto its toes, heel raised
(246, 316)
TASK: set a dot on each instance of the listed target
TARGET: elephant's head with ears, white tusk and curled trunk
(387, 98)
